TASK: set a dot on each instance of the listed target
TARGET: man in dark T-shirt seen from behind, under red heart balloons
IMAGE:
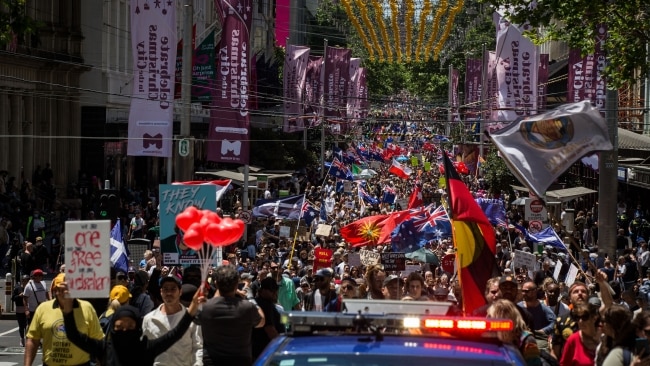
(227, 323)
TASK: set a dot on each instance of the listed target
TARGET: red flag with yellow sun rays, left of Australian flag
(371, 230)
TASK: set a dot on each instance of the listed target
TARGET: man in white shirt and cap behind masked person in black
(188, 350)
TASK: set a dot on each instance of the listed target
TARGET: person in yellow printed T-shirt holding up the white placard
(46, 325)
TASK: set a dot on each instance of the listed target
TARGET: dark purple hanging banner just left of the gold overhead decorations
(337, 75)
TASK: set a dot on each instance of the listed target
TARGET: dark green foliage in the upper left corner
(14, 22)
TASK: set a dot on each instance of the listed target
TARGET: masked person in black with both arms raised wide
(125, 343)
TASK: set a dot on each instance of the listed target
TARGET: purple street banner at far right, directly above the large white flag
(586, 81)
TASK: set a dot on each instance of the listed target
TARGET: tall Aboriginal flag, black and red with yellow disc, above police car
(473, 238)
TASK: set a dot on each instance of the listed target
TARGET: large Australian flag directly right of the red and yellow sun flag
(421, 226)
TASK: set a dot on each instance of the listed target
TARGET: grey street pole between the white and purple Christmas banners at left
(185, 153)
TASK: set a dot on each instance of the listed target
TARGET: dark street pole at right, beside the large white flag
(607, 180)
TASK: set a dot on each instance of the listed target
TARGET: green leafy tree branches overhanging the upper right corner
(576, 22)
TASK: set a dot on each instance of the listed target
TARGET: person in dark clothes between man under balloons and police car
(266, 299)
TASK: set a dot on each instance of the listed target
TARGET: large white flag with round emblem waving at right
(539, 149)
